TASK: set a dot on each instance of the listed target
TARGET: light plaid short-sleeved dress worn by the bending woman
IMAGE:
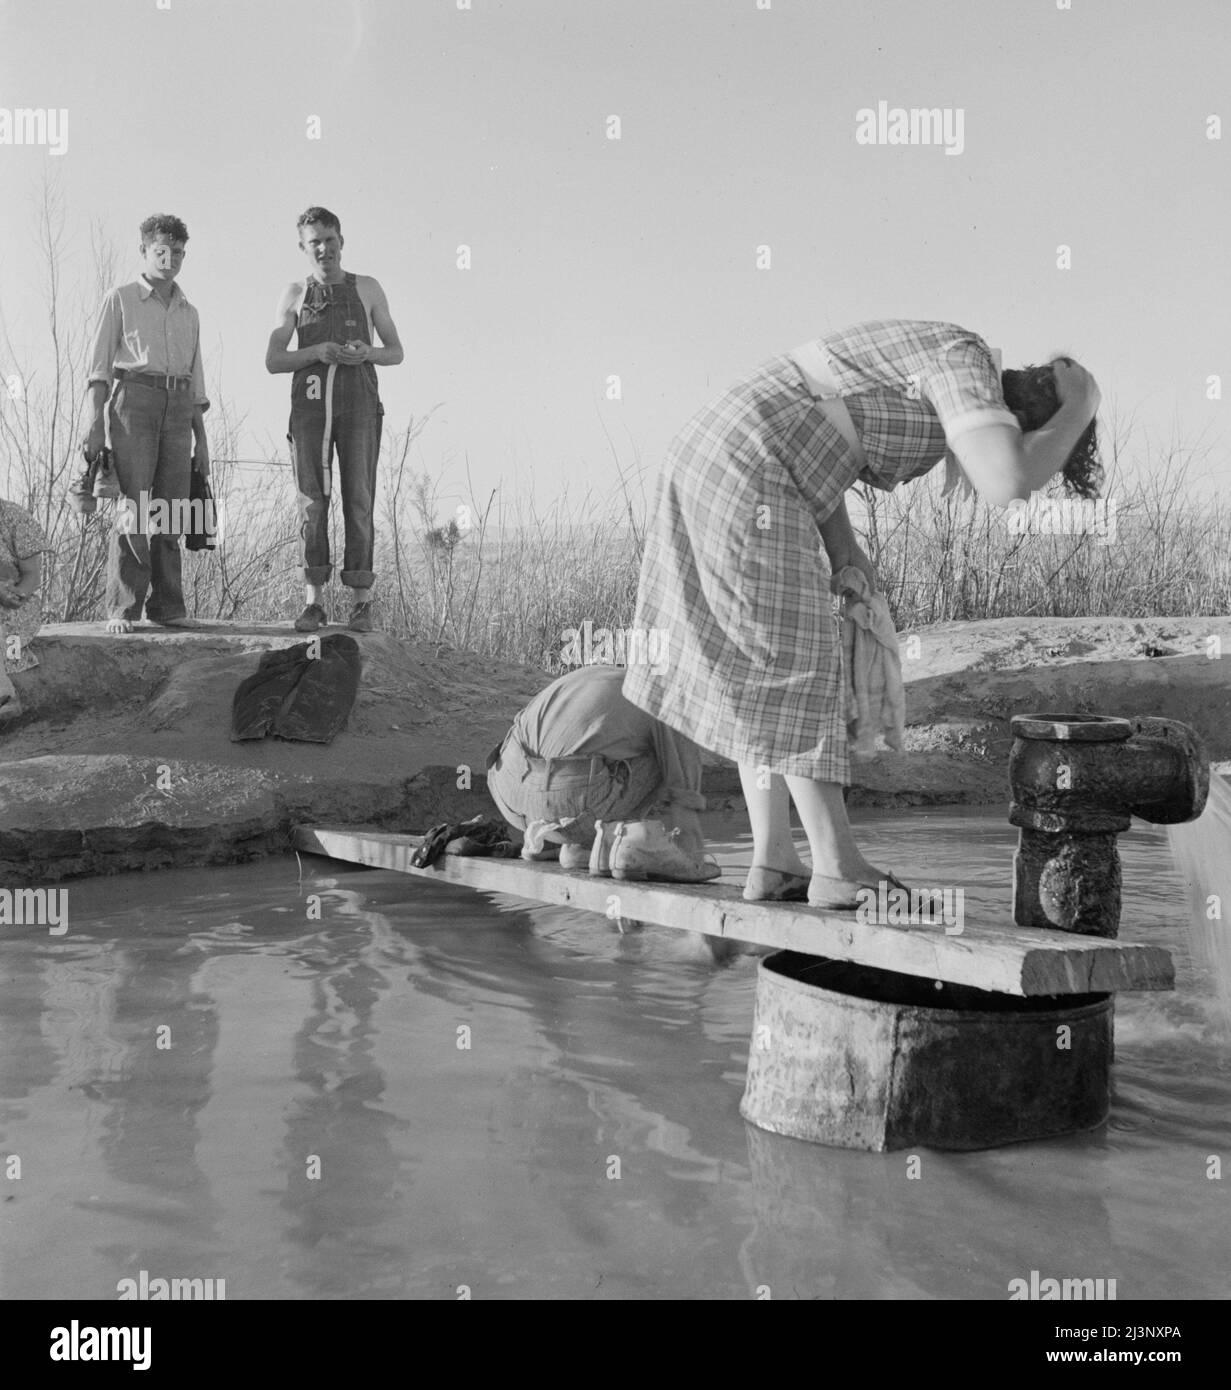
(733, 569)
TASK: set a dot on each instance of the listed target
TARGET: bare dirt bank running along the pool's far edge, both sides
(123, 757)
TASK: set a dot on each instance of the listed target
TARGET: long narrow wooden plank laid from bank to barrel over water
(991, 956)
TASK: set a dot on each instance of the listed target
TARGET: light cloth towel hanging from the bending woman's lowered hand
(876, 703)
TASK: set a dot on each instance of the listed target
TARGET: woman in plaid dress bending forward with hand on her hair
(734, 575)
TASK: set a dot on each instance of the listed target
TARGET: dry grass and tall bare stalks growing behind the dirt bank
(506, 576)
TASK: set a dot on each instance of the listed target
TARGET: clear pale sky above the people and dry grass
(736, 216)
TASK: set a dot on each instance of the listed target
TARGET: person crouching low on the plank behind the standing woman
(581, 767)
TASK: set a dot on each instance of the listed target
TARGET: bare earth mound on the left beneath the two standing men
(108, 719)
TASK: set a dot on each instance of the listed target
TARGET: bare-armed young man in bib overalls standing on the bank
(334, 404)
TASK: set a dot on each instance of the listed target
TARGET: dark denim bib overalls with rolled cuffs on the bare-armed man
(336, 408)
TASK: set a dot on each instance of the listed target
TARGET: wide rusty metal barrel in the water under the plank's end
(865, 1058)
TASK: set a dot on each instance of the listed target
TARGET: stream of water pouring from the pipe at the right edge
(1203, 854)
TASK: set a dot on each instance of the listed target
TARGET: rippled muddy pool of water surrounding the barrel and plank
(323, 1082)
